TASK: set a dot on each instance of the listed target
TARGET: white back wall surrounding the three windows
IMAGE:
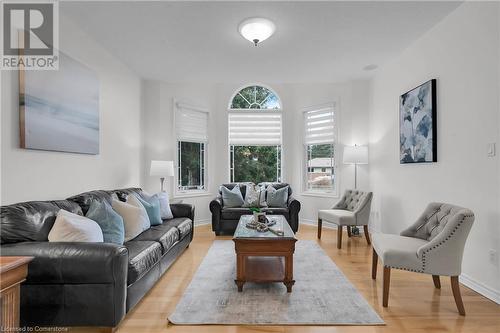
(159, 143)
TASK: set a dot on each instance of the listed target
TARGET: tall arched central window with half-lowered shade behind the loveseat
(255, 135)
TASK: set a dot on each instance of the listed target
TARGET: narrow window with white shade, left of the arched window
(191, 128)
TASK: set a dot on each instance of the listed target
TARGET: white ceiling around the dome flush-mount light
(199, 41)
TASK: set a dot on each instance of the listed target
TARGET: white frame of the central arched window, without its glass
(230, 173)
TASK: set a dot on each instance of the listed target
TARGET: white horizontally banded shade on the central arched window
(255, 128)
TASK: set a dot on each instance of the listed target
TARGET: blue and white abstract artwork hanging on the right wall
(417, 124)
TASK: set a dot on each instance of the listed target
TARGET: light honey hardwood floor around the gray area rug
(415, 304)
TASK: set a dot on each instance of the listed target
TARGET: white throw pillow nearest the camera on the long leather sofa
(70, 227)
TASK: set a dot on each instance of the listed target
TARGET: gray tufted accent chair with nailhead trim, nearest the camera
(432, 245)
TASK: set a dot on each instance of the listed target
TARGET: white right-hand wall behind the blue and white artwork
(462, 53)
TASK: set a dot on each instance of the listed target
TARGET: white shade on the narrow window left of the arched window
(191, 124)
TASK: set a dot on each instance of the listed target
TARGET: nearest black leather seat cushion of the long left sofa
(143, 255)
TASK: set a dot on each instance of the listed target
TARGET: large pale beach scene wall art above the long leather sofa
(59, 109)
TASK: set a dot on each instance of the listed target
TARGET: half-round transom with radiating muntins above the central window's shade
(255, 97)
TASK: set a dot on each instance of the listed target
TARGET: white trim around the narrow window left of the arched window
(190, 193)
